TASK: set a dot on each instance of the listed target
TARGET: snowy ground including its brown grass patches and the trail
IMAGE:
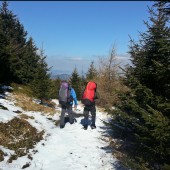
(36, 142)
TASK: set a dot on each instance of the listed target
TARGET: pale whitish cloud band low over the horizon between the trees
(64, 64)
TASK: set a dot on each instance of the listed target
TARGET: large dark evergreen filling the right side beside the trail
(144, 109)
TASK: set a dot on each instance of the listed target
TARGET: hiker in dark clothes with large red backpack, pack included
(88, 99)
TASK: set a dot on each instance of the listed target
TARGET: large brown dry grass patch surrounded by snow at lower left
(18, 135)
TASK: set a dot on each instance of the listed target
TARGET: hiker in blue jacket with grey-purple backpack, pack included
(67, 96)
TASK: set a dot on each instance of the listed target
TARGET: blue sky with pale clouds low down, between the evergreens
(74, 33)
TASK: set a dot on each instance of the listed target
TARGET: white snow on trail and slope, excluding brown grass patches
(70, 148)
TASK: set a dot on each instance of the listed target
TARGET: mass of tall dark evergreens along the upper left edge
(19, 60)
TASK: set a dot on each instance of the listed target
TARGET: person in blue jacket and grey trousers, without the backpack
(68, 107)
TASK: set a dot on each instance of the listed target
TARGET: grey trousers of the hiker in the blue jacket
(65, 108)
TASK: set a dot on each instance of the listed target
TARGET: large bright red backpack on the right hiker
(89, 93)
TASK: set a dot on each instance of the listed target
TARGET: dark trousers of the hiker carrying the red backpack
(92, 110)
